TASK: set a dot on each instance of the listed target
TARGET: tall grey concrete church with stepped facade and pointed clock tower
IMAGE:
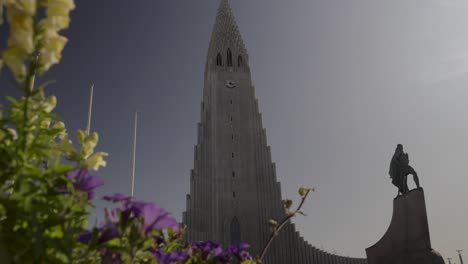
(234, 189)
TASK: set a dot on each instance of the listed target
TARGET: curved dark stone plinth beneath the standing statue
(407, 239)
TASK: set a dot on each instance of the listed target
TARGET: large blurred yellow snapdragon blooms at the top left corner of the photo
(25, 36)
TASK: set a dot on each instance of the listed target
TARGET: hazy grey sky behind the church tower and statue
(339, 84)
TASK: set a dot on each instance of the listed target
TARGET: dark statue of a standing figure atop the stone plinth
(400, 169)
